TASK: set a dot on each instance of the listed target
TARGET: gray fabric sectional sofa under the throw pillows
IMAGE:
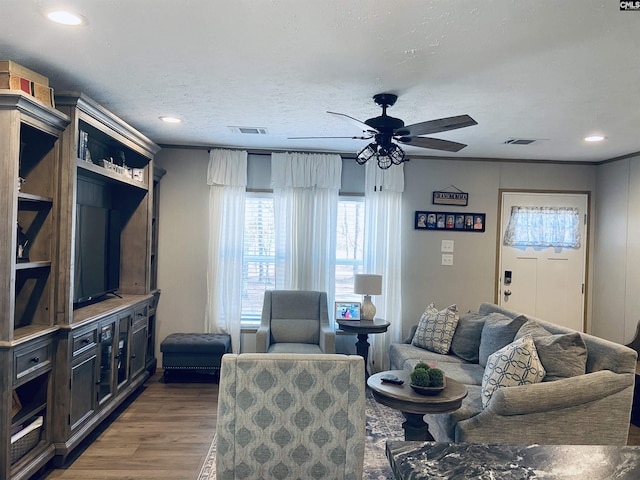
(593, 407)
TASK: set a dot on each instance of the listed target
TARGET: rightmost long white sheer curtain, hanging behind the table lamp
(382, 254)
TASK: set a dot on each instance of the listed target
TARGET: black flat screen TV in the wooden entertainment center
(97, 253)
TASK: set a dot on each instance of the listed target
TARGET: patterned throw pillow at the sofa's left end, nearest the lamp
(436, 328)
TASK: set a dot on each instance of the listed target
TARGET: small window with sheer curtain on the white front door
(543, 227)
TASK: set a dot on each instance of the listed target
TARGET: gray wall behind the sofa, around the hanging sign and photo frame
(471, 280)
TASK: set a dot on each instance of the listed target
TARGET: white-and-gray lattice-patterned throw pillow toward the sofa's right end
(515, 364)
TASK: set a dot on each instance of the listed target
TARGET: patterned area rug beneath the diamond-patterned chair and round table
(383, 423)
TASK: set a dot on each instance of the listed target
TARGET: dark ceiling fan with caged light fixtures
(385, 130)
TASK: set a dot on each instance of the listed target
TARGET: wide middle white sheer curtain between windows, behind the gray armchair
(305, 191)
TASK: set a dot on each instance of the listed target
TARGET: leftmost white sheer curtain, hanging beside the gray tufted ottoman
(227, 177)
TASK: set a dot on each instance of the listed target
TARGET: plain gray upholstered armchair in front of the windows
(295, 321)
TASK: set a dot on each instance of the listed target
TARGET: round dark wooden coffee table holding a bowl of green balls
(414, 406)
